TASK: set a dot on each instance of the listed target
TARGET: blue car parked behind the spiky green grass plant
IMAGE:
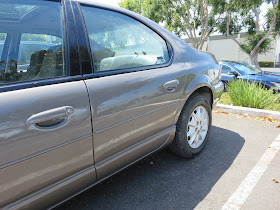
(237, 70)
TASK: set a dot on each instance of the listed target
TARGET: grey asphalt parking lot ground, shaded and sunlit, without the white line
(165, 181)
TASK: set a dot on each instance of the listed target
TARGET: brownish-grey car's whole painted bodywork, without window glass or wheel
(119, 117)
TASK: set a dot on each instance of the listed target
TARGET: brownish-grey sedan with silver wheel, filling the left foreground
(114, 89)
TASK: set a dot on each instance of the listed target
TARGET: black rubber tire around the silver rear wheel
(180, 145)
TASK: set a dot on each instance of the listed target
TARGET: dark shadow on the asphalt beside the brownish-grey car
(163, 180)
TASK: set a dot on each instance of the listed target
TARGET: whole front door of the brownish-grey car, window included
(45, 121)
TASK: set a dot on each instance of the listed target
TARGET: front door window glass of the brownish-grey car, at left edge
(35, 50)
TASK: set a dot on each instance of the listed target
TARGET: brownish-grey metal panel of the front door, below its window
(30, 159)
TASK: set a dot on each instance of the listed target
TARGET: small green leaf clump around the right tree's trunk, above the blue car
(252, 40)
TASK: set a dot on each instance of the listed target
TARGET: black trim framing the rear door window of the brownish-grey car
(94, 74)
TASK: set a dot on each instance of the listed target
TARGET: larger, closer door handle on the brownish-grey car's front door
(50, 118)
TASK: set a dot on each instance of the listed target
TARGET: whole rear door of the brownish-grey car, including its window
(134, 90)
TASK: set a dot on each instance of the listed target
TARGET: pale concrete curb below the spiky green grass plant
(250, 111)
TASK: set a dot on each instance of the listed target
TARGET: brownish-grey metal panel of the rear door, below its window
(123, 106)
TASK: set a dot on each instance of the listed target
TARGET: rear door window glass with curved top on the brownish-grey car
(118, 41)
